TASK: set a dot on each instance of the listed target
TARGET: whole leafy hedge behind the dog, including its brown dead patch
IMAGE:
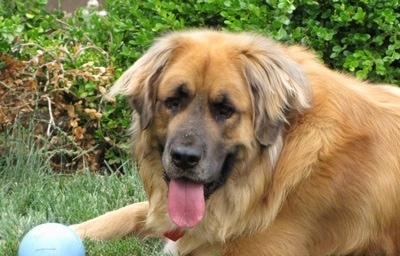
(69, 61)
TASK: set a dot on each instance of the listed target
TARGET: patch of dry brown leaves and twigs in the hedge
(49, 90)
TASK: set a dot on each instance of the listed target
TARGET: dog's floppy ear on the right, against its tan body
(278, 86)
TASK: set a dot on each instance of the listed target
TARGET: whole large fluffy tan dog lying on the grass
(249, 147)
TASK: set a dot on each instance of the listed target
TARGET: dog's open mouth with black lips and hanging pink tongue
(186, 198)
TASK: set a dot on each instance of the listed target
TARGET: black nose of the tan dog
(185, 157)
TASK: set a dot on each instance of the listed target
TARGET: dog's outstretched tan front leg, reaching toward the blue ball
(128, 220)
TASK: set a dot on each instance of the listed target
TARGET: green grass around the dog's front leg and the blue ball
(31, 194)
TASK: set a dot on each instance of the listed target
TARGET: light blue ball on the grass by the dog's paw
(51, 239)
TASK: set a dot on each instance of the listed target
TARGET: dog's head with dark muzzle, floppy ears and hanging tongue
(208, 98)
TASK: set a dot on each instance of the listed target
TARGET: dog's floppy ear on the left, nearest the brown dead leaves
(139, 83)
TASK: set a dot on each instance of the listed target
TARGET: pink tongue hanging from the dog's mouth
(186, 203)
